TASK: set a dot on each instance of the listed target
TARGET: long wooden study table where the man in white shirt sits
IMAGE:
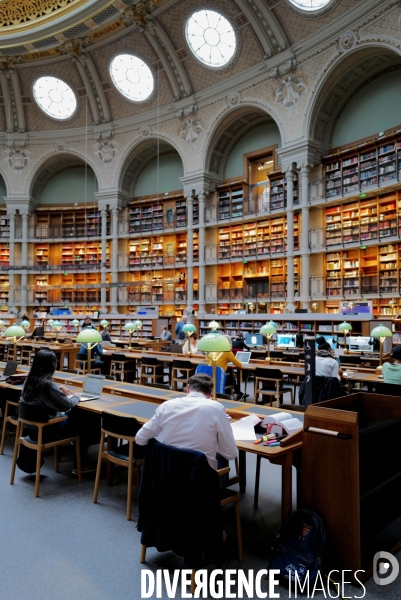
(141, 402)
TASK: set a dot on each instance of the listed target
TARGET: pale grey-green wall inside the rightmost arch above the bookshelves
(375, 108)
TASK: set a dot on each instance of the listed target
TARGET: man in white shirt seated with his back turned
(194, 422)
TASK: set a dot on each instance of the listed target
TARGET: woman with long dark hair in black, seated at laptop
(39, 389)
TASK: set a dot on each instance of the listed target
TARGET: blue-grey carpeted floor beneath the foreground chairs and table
(61, 546)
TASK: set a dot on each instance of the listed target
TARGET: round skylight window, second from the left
(132, 77)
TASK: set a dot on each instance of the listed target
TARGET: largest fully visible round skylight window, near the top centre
(211, 38)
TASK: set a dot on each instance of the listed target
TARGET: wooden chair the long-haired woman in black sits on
(36, 417)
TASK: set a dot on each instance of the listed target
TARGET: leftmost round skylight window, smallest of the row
(54, 97)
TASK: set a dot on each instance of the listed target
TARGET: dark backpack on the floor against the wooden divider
(297, 547)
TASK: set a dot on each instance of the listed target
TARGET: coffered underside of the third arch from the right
(138, 156)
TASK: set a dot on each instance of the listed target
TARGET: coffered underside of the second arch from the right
(228, 130)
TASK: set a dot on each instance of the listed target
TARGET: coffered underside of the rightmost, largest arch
(346, 77)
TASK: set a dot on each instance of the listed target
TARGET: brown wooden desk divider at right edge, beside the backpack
(354, 481)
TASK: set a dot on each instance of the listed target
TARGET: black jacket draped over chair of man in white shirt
(179, 504)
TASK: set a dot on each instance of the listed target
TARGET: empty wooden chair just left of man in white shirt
(118, 428)
